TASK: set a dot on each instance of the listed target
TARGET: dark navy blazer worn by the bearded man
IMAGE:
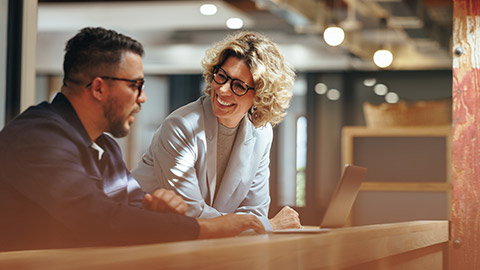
(53, 195)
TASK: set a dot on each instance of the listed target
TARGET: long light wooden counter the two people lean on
(406, 245)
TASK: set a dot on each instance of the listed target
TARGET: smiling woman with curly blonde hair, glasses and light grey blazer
(215, 152)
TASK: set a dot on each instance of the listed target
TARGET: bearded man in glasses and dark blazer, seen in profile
(63, 182)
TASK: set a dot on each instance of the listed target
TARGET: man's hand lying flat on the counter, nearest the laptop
(229, 225)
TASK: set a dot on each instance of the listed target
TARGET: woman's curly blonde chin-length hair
(272, 76)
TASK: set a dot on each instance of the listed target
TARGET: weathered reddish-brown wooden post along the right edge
(465, 232)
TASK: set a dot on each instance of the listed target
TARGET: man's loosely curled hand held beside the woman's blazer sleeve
(165, 201)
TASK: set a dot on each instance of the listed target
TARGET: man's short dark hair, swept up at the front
(96, 52)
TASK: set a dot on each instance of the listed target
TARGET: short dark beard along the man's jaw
(116, 124)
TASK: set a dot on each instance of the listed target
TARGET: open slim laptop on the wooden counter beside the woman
(340, 204)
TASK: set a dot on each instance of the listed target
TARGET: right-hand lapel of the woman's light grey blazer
(238, 172)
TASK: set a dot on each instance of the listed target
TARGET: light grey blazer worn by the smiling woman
(182, 157)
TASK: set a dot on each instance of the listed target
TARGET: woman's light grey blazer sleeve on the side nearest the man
(170, 162)
